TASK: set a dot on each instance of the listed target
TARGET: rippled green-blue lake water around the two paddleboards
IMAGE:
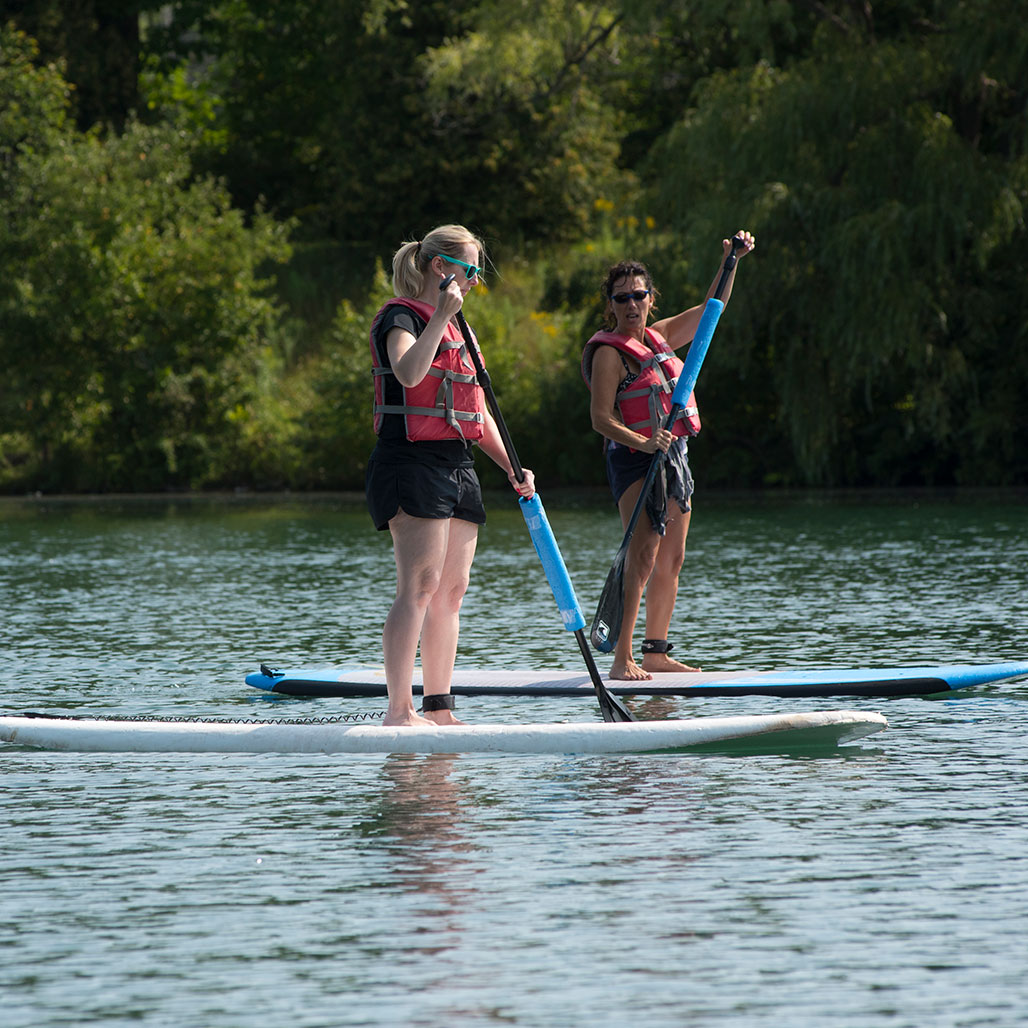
(883, 886)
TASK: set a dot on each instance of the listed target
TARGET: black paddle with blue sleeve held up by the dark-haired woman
(607, 622)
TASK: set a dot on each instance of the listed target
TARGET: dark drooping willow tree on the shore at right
(883, 328)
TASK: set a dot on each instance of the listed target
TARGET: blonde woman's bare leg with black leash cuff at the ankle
(443, 621)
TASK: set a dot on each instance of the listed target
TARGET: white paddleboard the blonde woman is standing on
(765, 733)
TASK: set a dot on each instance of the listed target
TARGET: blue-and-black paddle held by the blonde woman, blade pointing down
(542, 537)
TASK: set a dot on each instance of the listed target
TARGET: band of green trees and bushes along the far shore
(193, 249)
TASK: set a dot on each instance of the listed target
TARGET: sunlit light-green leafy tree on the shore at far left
(134, 324)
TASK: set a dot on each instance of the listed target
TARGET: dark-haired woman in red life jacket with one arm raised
(632, 370)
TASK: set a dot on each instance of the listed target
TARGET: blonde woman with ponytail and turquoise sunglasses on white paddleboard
(421, 482)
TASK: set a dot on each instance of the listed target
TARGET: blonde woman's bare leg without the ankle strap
(420, 549)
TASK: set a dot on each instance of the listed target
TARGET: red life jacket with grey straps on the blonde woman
(448, 403)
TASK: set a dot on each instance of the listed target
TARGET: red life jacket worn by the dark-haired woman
(647, 401)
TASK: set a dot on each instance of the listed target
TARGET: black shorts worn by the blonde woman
(423, 491)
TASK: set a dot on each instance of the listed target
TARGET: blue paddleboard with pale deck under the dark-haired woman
(811, 683)
